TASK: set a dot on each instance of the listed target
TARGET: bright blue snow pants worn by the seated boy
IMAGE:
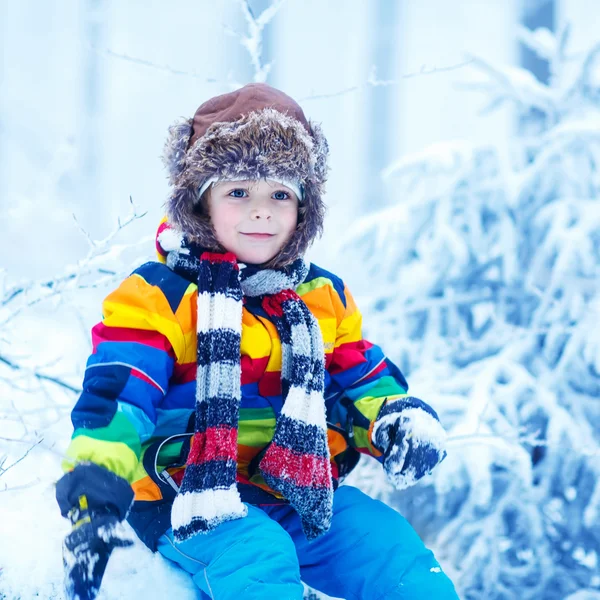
(370, 553)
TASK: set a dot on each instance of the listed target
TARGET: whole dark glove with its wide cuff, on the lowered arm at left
(95, 501)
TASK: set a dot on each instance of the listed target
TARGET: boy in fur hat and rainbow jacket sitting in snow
(230, 388)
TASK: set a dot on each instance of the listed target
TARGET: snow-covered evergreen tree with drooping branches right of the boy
(486, 277)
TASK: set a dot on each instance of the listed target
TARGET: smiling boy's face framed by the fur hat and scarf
(252, 219)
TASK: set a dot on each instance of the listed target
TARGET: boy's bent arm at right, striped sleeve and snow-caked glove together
(381, 419)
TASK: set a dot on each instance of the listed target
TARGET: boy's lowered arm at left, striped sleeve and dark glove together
(135, 348)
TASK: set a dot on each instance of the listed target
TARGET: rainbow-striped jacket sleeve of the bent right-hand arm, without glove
(360, 378)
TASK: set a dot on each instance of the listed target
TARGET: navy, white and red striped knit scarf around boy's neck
(296, 463)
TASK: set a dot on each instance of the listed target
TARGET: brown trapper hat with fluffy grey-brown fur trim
(253, 133)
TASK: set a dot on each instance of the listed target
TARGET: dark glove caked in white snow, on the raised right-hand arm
(409, 434)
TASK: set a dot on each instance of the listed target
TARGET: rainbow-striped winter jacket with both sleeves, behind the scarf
(135, 415)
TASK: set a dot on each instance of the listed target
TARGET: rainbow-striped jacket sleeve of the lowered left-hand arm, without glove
(127, 375)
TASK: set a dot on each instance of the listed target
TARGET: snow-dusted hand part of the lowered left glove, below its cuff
(86, 551)
